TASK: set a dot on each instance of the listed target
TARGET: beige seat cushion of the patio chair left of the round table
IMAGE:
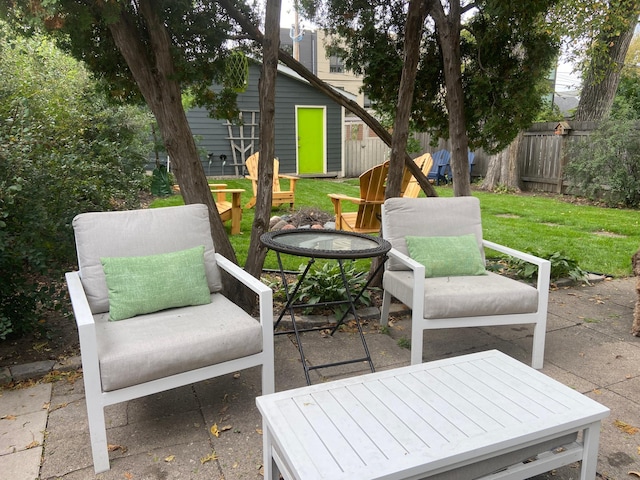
(172, 341)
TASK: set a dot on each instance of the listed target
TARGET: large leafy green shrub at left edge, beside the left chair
(63, 150)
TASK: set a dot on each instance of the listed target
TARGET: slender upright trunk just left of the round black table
(267, 92)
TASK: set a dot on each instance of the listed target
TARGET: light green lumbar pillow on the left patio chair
(139, 285)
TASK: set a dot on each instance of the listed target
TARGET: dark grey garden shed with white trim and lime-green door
(309, 129)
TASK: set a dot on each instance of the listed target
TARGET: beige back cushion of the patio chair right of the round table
(429, 217)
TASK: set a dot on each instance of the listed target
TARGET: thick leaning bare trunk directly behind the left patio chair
(154, 72)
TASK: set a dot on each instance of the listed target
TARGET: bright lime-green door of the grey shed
(310, 133)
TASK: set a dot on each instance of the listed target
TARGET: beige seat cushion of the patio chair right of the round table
(467, 296)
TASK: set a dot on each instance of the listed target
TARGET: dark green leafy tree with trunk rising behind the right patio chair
(480, 71)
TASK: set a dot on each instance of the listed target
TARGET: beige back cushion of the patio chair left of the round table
(135, 233)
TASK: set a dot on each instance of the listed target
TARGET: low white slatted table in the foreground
(463, 417)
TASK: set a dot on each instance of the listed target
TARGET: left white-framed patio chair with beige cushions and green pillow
(155, 259)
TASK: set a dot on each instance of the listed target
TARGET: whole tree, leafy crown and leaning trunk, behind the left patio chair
(154, 49)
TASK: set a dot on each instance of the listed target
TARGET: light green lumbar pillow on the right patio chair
(447, 256)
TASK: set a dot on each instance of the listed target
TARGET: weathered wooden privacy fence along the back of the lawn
(542, 154)
